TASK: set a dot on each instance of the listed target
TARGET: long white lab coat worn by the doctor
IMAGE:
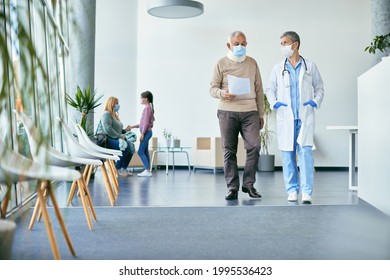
(311, 88)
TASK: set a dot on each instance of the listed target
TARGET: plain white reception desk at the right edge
(374, 136)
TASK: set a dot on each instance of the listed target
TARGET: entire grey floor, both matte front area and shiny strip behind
(182, 215)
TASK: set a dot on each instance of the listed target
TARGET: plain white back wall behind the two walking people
(175, 59)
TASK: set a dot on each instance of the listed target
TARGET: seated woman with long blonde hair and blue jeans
(111, 125)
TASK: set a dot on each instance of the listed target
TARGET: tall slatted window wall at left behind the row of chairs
(35, 76)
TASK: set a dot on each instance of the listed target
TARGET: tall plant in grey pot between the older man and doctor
(266, 161)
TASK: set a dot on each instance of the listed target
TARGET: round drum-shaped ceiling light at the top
(175, 8)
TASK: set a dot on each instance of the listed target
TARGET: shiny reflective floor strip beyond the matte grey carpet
(181, 188)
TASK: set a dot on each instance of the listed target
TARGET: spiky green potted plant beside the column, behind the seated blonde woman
(84, 101)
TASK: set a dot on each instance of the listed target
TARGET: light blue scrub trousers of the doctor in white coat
(305, 164)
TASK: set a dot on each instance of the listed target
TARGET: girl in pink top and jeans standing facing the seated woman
(145, 127)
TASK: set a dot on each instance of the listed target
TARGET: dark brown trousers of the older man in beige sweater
(248, 125)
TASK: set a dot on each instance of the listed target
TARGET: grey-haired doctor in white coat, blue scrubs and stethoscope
(295, 90)
